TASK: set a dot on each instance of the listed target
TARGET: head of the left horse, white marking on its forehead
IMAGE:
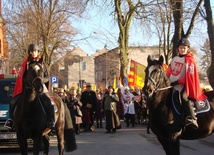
(34, 76)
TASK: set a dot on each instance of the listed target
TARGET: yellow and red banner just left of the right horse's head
(136, 74)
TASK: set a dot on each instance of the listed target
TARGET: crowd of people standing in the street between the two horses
(109, 105)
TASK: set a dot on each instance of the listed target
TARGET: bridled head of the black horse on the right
(155, 77)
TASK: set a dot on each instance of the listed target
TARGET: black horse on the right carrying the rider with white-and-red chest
(164, 121)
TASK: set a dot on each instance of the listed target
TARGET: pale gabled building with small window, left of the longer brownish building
(74, 69)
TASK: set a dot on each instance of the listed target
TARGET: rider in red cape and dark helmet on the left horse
(34, 55)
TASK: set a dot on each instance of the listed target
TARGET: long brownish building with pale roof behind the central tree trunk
(107, 63)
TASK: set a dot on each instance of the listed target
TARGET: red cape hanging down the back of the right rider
(192, 84)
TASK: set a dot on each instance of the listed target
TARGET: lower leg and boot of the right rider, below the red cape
(191, 119)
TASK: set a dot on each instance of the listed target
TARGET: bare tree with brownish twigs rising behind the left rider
(44, 22)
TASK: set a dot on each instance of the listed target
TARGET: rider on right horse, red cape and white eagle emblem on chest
(184, 77)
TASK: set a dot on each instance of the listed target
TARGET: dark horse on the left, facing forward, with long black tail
(30, 117)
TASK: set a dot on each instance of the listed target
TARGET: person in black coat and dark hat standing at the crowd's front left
(89, 101)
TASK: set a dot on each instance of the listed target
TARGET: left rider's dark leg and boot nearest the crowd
(49, 109)
